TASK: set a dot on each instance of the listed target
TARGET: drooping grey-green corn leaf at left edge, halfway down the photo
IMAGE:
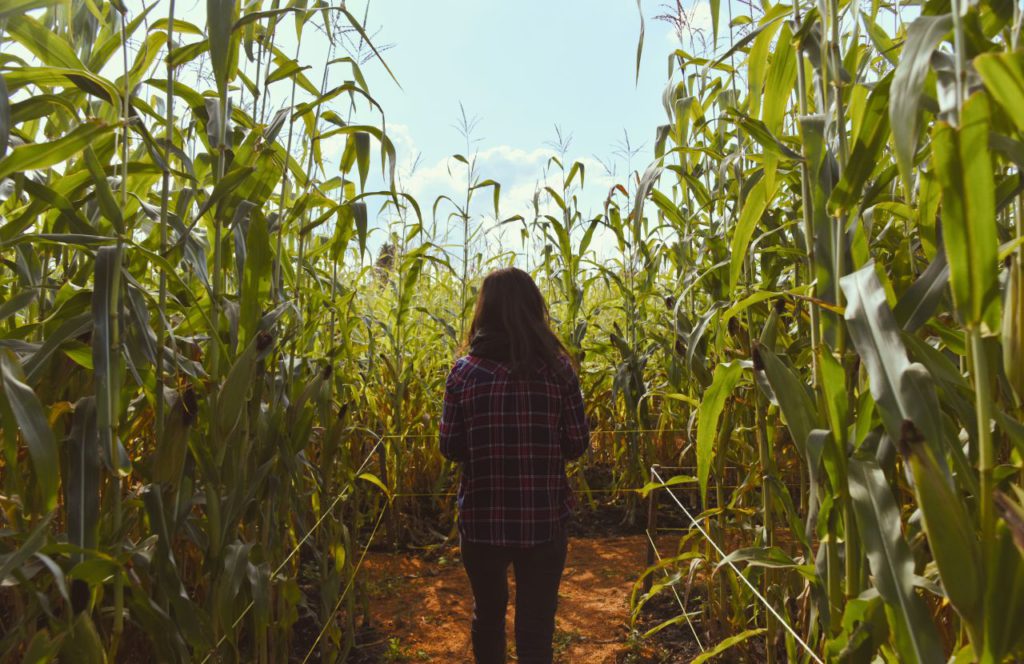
(30, 419)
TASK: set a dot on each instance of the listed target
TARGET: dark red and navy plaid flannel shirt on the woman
(513, 437)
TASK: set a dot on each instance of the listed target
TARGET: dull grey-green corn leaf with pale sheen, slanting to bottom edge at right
(892, 566)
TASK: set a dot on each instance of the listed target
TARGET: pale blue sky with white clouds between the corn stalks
(521, 69)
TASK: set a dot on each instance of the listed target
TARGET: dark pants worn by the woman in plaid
(538, 572)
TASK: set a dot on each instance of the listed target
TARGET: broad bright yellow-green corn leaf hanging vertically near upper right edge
(964, 165)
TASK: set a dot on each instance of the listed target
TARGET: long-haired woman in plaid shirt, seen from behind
(514, 417)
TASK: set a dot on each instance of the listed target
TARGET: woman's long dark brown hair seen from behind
(511, 324)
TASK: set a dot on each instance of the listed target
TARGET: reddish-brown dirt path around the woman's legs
(422, 609)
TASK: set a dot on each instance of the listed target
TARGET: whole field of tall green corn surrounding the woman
(215, 394)
